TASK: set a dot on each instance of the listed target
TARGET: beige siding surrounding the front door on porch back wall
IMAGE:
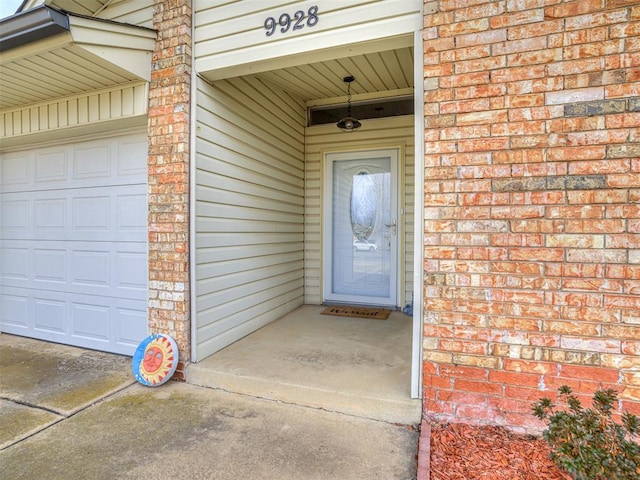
(385, 132)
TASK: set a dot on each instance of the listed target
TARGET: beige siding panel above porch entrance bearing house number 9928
(230, 37)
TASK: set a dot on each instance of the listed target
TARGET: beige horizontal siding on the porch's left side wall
(249, 209)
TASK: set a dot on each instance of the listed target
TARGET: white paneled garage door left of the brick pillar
(73, 245)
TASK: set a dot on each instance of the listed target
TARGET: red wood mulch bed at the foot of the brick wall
(465, 452)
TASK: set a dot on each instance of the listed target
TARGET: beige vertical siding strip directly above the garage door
(100, 106)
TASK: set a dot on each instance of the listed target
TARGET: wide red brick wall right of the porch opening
(532, 205)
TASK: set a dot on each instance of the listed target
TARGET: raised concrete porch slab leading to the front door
(355, 366)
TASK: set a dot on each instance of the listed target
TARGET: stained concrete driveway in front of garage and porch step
(72, 413)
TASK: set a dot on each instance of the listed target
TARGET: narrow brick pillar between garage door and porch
(168, 169)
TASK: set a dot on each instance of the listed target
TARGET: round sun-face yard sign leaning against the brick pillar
(155, 360)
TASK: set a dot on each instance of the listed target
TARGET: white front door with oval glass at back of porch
(361, 227)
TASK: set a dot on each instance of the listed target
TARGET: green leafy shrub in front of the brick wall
(586, 442)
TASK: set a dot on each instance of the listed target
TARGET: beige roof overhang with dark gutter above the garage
(47, 54)
